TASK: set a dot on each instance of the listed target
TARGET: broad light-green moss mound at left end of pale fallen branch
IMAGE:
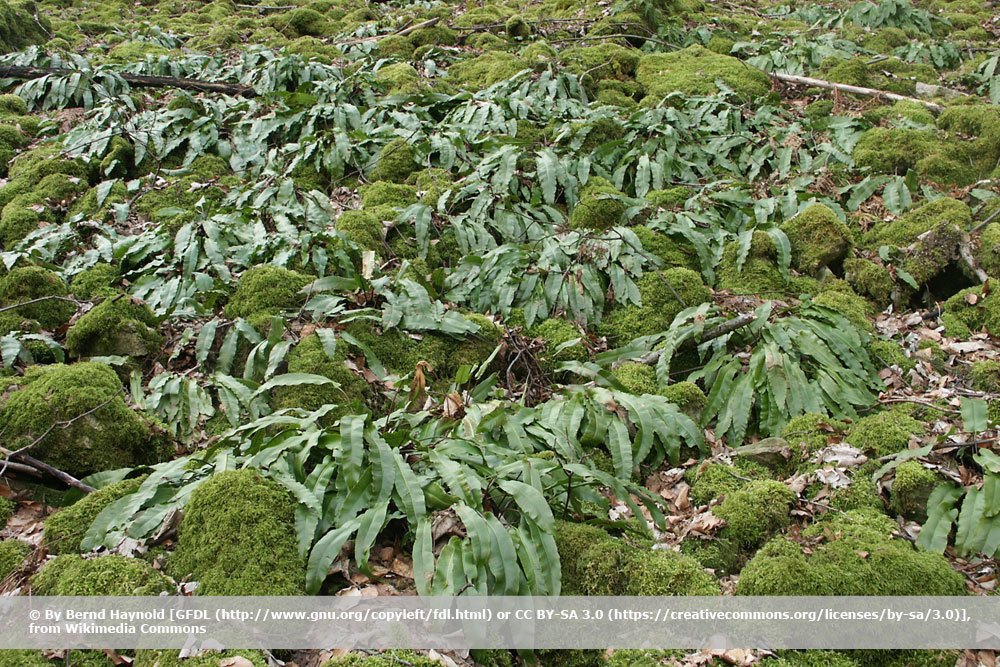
(695, 70)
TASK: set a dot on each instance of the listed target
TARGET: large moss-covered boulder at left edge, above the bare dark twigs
(112, 436)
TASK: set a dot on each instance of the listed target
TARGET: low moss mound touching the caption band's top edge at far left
(107, 575)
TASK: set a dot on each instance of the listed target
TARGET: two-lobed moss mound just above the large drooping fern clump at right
(664, 294)
